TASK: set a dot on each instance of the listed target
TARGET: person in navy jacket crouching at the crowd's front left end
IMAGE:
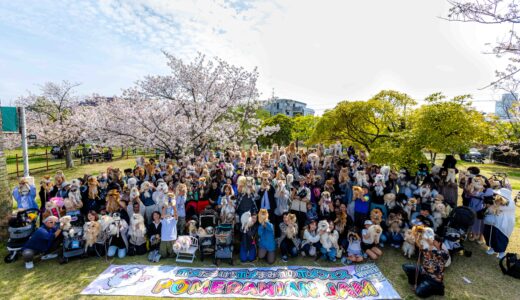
(44, 240)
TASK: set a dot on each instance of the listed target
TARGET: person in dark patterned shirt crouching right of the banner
(428, 277)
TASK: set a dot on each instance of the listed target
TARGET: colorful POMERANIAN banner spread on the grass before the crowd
(356, 281)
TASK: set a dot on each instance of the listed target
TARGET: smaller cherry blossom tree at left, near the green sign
(56, 117)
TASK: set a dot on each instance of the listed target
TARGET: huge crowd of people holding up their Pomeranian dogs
(324, 203)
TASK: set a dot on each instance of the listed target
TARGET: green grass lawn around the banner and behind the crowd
(50, 280)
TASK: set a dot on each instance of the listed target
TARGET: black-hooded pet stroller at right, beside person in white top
(457, 225)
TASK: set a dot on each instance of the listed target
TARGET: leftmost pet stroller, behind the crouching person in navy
(20, 230)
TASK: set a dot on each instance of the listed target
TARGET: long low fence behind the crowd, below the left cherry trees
(40, 162)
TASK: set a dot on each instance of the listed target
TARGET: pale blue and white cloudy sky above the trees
(317, 52)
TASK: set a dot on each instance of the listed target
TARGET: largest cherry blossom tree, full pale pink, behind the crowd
(205, 103)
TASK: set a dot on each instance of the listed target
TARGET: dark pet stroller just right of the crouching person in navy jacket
(73, 242)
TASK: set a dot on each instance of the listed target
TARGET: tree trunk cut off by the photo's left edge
(6, 201)
